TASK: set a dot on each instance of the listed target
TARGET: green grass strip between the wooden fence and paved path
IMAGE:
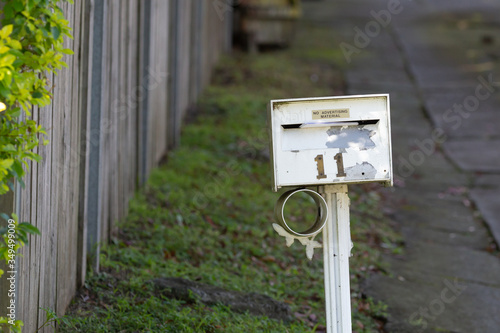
(207, 215)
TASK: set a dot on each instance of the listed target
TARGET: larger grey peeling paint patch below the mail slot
(350, 137)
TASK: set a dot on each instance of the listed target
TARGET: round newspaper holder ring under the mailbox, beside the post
(321, 217)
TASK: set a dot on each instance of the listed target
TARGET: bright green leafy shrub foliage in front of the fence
(31, 51)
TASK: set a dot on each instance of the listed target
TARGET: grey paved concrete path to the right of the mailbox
(440, 63)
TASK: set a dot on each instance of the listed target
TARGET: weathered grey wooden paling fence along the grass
(116, 111)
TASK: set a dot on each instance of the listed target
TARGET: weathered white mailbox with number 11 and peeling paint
(330, 140)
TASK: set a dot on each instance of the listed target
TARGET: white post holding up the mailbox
(336, 252)
